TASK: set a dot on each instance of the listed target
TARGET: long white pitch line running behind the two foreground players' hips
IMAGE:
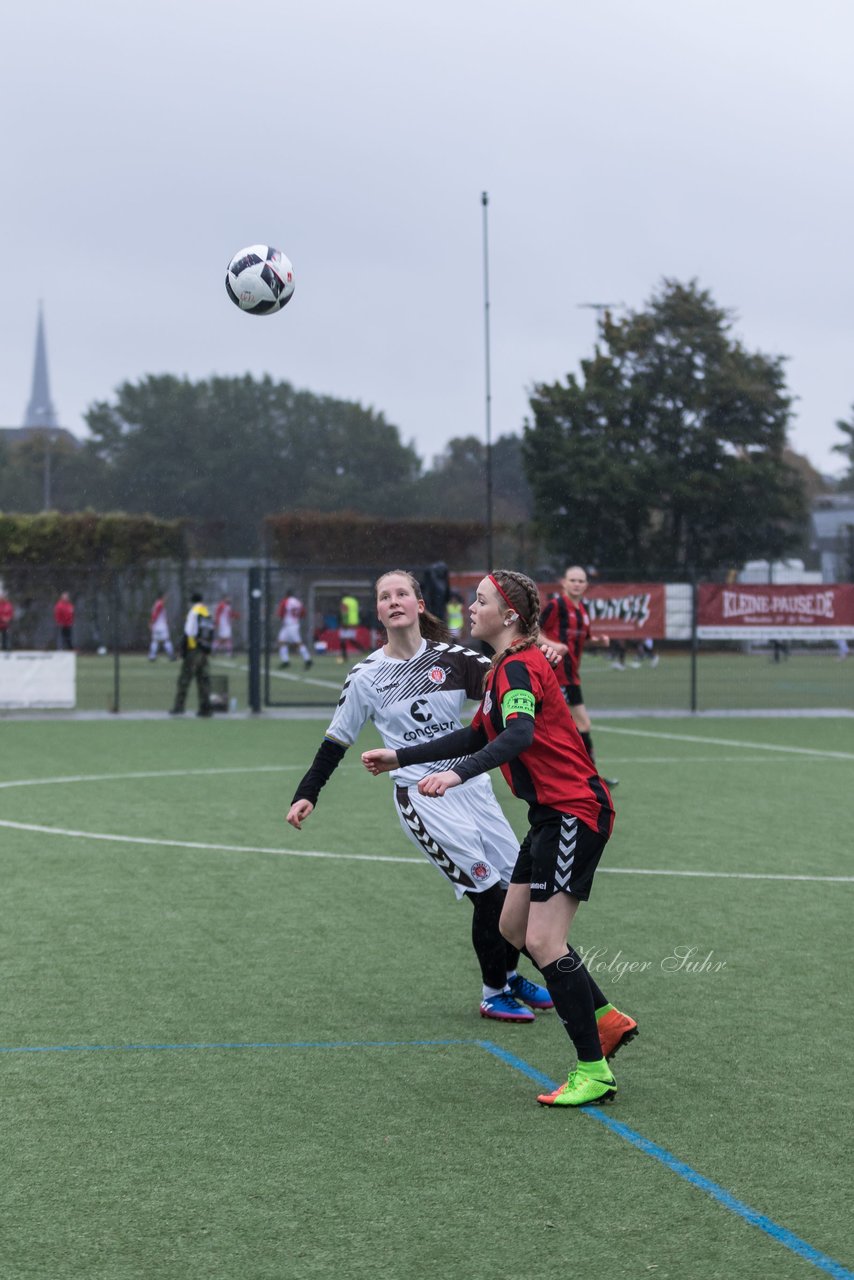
(383, 858)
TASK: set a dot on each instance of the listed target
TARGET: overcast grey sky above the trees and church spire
(622, 141)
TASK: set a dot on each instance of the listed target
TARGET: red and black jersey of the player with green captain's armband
(556, 771)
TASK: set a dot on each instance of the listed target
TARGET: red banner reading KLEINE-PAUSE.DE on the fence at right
(811, 611)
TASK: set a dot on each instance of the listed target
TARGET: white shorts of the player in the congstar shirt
(464, 834)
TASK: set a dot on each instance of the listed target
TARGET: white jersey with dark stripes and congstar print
(410, 700)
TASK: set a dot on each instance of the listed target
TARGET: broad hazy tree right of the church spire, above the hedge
(231, 451)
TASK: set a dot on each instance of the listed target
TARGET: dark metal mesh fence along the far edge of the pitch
(116, 673)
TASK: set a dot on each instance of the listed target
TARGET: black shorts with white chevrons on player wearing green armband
(560, 856)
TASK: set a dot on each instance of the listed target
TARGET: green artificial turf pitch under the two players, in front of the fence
(231, 1050)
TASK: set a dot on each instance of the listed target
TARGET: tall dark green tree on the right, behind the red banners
(666, 454)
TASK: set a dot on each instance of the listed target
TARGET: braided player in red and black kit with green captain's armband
(524, 728)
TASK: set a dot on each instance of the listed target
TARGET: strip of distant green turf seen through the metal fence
(807, 680)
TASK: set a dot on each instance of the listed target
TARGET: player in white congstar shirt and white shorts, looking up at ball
(414, 689)
